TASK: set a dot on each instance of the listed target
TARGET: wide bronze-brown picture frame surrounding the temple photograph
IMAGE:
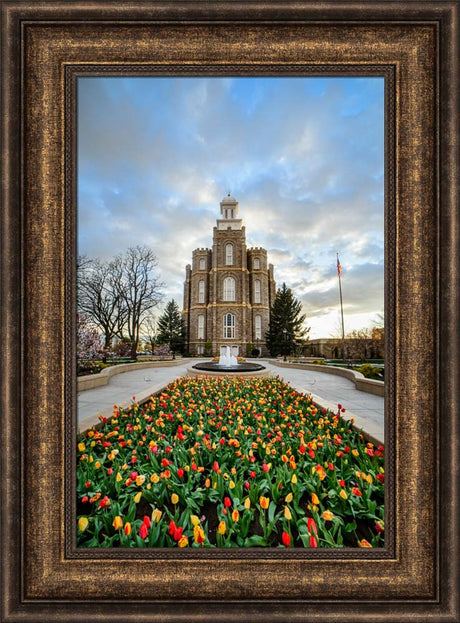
(50, 50)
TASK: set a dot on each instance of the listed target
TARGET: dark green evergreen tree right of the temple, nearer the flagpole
(286, 328)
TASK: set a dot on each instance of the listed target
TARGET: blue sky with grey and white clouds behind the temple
(303, 156)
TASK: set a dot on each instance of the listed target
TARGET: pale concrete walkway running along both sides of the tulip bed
(327, 391)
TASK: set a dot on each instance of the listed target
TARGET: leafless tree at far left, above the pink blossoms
(98, 299)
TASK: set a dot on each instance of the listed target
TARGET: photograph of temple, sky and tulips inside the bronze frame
(190, 285)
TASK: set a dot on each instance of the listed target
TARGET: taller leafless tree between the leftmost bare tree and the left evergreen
(138, 287)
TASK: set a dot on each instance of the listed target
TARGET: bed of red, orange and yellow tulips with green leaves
(228, 463)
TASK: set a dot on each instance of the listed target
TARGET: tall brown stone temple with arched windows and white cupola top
(228, 291)
